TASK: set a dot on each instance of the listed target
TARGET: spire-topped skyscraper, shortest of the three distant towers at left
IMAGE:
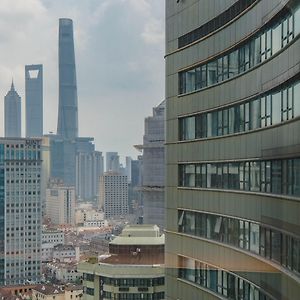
(12, 113)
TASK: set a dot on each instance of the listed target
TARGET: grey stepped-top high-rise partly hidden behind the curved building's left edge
(153, 178)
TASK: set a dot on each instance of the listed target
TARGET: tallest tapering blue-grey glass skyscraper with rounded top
(67, 126)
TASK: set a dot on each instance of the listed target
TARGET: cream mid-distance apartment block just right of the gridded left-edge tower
(60, 203)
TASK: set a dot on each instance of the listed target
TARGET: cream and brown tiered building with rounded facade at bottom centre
(134, 268)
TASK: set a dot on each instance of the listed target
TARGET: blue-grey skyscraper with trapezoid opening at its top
(34, 100)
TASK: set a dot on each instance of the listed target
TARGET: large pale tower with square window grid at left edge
(20, 211)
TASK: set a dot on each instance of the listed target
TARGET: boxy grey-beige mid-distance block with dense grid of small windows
(113, 194)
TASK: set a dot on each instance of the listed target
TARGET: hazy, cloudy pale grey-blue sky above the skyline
(119, 48)
